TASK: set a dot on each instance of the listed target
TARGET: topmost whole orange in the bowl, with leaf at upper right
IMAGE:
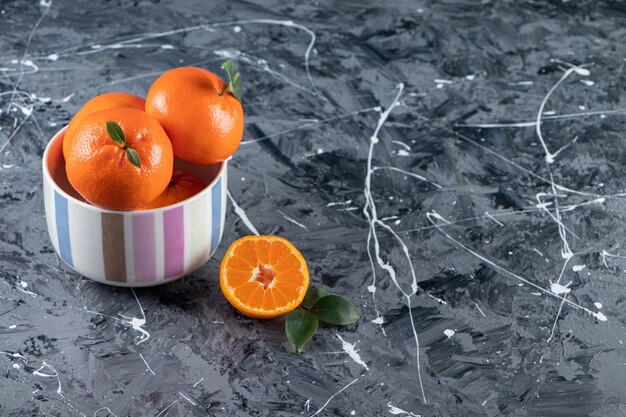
(203, 121)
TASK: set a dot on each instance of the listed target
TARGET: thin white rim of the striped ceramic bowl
(48, 177)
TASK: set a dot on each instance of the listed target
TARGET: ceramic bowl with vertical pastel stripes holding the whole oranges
(133, 248)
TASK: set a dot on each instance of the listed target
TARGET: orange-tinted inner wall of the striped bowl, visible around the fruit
(56, 167)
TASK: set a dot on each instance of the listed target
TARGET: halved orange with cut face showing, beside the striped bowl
(264, 276)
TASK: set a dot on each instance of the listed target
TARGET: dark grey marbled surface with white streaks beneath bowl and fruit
(455, 168)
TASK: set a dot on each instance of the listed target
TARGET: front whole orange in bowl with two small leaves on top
(121, 159)
